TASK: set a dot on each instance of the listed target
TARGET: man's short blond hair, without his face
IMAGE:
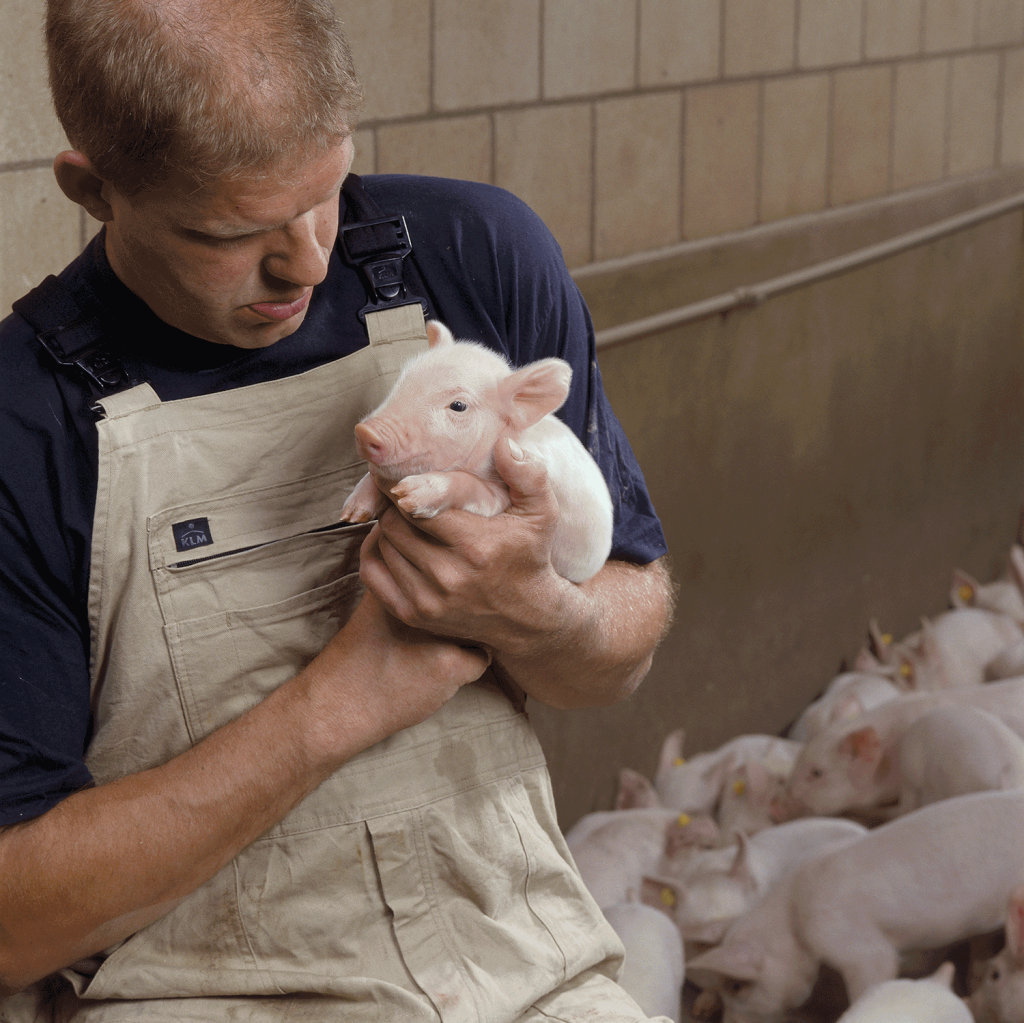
(211, 89)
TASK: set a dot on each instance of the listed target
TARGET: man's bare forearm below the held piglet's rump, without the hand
(598, 638)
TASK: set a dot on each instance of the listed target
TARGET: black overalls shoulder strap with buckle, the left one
(75, 337)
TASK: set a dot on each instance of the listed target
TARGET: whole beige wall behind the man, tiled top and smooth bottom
(826, 458)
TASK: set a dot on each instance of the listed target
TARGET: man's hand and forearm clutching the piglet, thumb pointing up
(490, 582)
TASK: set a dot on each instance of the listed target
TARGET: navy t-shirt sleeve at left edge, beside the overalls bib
(45, 677)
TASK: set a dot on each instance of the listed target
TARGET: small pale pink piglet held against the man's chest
(432, 444)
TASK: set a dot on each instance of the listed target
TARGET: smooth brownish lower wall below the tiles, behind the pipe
(825, 459)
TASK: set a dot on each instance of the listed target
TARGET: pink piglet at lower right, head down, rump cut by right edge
(937, 876)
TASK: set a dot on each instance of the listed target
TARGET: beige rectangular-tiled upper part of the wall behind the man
(627, 124)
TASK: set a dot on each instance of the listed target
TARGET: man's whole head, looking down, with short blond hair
(211, 138)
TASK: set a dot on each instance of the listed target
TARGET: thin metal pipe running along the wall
(752, 295)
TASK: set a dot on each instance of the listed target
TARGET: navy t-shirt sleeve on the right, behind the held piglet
(496, 275)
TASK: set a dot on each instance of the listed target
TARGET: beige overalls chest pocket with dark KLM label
(251, 587)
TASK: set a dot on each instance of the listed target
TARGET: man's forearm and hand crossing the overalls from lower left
(107, 862)
